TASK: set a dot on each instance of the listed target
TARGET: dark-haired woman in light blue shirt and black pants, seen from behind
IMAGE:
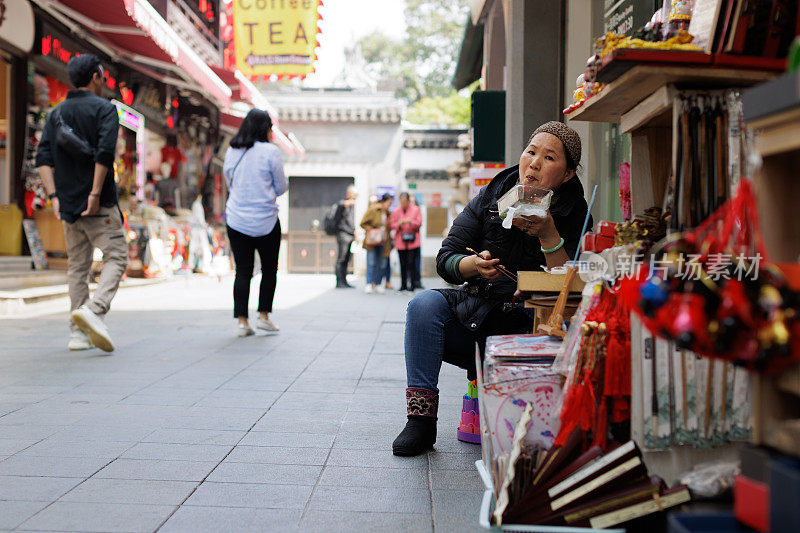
(254, 174)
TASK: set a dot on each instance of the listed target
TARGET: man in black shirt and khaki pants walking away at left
(84, 196)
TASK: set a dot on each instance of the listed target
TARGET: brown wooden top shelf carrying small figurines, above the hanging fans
(623, 94)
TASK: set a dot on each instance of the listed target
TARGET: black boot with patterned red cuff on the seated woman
(419, 435)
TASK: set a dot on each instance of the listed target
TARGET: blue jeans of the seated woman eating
(433, 335)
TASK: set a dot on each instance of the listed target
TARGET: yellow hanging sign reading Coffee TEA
(275, 36)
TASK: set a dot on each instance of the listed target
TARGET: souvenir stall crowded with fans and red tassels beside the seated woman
(664, 373)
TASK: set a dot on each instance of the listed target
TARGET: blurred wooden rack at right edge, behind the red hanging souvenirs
(772, 111)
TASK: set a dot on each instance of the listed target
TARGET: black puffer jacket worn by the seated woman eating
(478, 303)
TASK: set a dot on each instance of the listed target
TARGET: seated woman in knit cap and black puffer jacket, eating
(445, 324)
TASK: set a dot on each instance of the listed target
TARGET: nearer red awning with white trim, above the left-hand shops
(136, 30)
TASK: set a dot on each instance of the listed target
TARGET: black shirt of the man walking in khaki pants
(96, 120)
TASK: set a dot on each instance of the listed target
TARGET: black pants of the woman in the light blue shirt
(244, 248)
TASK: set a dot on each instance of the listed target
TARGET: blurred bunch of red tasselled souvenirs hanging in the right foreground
(713, 291)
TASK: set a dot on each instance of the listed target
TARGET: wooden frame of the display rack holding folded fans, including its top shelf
(641, 100)
